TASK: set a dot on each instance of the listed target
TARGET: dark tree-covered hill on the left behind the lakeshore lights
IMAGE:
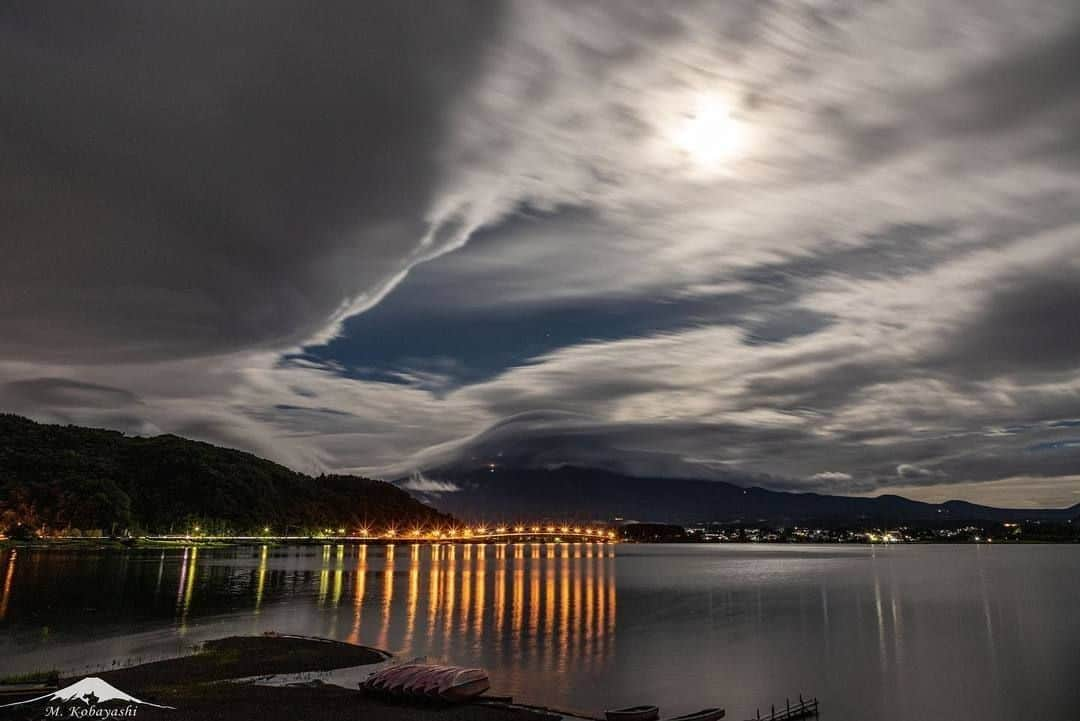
(65, 478)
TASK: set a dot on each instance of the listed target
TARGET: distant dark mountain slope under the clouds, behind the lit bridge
(574, 493)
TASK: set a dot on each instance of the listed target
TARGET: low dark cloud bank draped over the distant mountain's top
(741, 454)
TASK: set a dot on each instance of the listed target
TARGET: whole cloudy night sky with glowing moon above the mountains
(829, 247)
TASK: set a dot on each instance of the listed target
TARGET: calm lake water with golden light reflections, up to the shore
(883, 633)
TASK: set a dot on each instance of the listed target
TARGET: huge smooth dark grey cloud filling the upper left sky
(202, 178)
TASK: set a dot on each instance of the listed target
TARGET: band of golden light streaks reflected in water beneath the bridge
(548, 604)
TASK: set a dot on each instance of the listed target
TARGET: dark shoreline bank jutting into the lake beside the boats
(198, 688)
